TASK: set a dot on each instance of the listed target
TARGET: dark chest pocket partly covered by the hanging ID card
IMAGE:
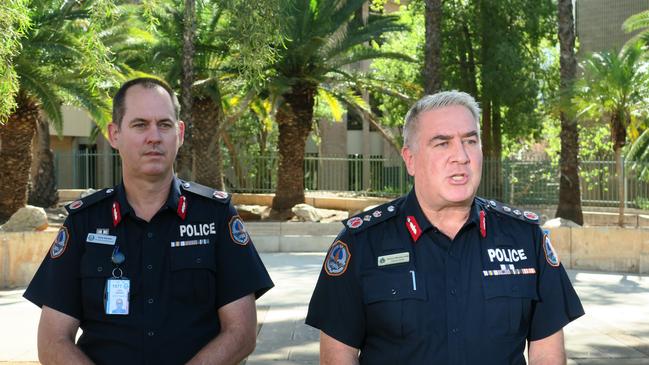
(96, 268)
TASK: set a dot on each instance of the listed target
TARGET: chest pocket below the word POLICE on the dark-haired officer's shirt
(193, 275)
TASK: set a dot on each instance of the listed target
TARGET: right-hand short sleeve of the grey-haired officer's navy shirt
(558, 302)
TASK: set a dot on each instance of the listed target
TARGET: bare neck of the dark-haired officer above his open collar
(146, 197)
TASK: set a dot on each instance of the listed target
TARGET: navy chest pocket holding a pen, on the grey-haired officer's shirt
(386, 296)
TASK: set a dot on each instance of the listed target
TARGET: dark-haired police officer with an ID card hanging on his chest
(175, 255)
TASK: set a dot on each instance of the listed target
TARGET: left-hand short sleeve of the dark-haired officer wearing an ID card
(57, 282)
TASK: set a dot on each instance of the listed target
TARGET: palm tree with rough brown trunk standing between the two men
(324, 41)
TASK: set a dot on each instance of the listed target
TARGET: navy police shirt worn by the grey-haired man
(398, 289)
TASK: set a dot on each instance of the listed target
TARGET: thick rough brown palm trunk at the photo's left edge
(16, 155)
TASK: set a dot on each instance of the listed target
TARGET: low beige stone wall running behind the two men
(586, 248)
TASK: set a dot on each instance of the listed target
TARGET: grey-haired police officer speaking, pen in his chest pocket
(440, 276)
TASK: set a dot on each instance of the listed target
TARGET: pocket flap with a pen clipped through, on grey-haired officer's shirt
(381, 286)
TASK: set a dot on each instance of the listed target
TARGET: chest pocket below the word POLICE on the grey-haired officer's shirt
(508, 304)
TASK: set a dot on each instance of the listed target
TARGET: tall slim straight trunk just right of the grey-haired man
(569, 188)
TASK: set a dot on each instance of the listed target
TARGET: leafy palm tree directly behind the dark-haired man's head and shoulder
(223, 60)
